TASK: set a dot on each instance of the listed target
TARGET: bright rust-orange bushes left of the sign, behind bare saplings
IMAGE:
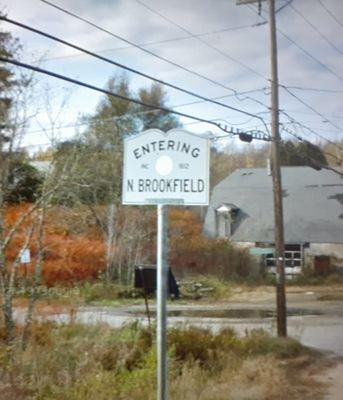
(67, 258)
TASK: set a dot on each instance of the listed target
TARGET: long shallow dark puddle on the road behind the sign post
(242, 313)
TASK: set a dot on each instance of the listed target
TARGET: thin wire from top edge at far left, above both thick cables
(151, 53)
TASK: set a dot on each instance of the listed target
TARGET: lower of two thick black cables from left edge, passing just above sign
(260, 135)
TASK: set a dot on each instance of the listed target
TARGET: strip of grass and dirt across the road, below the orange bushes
(199, 288)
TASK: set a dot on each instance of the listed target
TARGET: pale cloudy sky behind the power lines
(213, 46)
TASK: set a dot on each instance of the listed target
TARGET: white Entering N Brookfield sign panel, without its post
(166, 168)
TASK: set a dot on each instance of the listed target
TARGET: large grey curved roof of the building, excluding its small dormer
(313, 205)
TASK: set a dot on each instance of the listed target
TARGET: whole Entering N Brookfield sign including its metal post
(165, 168)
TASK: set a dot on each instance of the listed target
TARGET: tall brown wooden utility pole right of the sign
(276, 175)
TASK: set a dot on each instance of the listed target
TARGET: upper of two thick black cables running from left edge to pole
(135, 71)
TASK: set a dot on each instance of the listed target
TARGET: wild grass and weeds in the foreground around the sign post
(74, 362)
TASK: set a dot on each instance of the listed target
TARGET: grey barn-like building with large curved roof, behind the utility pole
(241, 208)
